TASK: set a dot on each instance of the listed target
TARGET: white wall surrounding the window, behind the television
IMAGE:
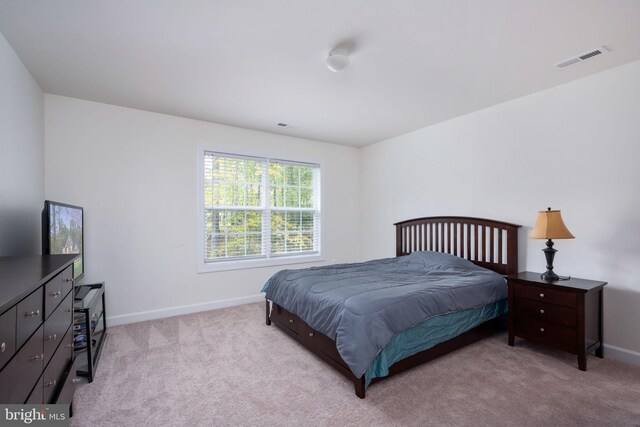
(135, 173)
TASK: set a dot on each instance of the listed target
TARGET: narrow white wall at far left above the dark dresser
(21, 156)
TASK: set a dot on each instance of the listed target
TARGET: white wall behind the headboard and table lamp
(575, 147)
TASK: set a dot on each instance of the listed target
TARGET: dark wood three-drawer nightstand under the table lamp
(564, 314)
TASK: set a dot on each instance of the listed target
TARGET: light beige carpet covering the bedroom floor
(226, 367)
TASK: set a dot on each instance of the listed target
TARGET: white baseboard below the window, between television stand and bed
(141, 316)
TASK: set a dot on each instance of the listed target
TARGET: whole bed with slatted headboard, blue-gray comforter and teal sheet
(442, 291)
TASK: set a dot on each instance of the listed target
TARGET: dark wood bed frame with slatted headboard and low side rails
(488, 243)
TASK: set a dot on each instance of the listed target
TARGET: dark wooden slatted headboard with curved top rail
(485, 242)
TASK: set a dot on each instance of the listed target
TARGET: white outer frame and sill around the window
(243, 263)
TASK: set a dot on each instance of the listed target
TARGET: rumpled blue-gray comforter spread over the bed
(362, 306)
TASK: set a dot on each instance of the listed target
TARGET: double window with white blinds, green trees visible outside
(258, 209)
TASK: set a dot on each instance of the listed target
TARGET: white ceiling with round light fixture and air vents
(254, 63)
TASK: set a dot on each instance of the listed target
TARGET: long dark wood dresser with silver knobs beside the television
(36, 333)
